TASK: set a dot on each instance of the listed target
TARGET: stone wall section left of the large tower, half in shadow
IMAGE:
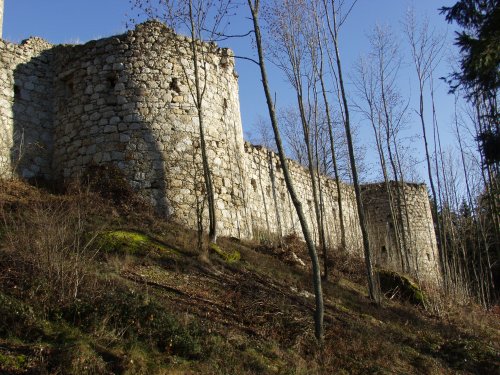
(26, 108)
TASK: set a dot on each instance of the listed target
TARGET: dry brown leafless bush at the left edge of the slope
(48, 253)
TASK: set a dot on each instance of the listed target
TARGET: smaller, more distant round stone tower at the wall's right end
(417, 254)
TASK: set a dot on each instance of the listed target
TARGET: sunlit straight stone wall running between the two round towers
(271, 211)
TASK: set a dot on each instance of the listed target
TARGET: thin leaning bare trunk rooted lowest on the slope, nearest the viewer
(319, 312)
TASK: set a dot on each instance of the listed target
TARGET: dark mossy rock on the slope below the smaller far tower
(401, 287)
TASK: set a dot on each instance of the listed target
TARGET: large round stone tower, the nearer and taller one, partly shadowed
(129, 100)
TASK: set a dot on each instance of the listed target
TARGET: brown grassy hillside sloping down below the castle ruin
(97, 284)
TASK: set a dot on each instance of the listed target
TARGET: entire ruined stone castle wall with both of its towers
(128, 101)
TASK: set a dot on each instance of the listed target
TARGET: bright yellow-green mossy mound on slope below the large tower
(132, 243)
